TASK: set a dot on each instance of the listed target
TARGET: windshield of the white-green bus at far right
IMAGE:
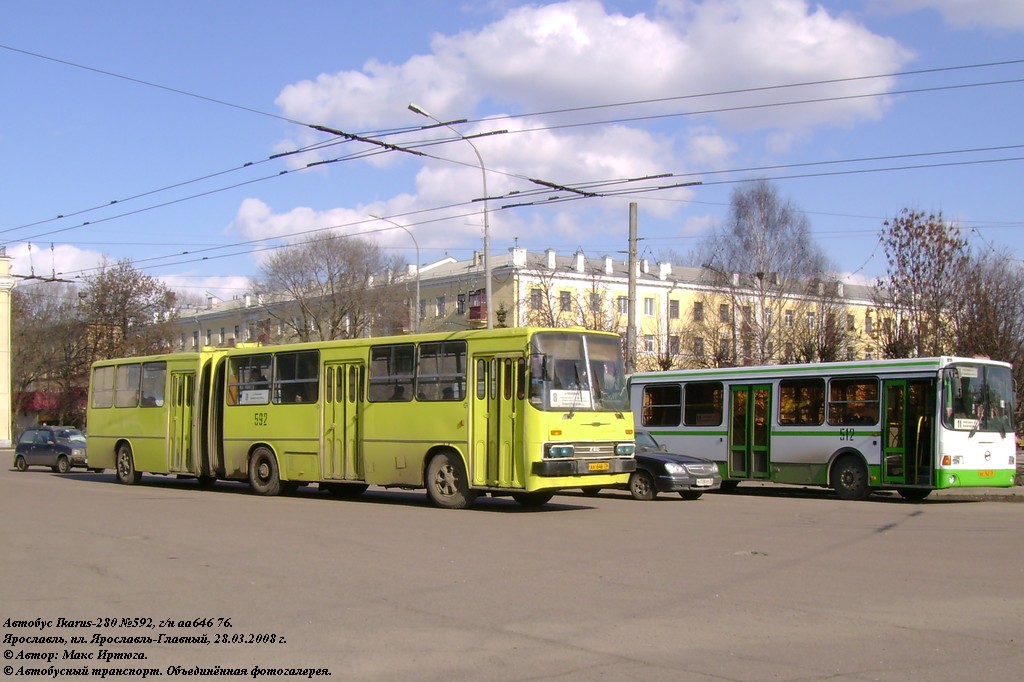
(978, 398)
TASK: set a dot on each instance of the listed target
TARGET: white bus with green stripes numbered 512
(910, 425)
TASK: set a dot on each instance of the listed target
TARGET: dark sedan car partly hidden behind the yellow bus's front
(661, 472)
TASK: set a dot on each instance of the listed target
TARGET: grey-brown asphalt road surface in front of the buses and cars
(784, 584)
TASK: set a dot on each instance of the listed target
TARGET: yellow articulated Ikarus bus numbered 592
(522, 412)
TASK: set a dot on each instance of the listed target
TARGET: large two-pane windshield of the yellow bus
(573, 372)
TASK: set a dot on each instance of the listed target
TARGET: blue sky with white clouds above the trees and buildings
(158, 131)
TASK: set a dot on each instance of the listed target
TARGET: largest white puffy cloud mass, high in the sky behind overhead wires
(579, 55)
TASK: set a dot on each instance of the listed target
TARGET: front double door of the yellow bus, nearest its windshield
(497, 438)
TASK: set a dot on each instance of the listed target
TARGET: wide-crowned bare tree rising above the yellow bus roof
(333, 287)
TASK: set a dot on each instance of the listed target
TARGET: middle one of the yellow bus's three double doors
(343, 455)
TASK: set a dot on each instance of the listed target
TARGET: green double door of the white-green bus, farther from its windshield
(749, 431)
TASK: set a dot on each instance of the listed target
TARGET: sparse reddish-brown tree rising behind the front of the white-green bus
(928, 266)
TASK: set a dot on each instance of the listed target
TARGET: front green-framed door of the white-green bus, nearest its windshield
(908, 444)
